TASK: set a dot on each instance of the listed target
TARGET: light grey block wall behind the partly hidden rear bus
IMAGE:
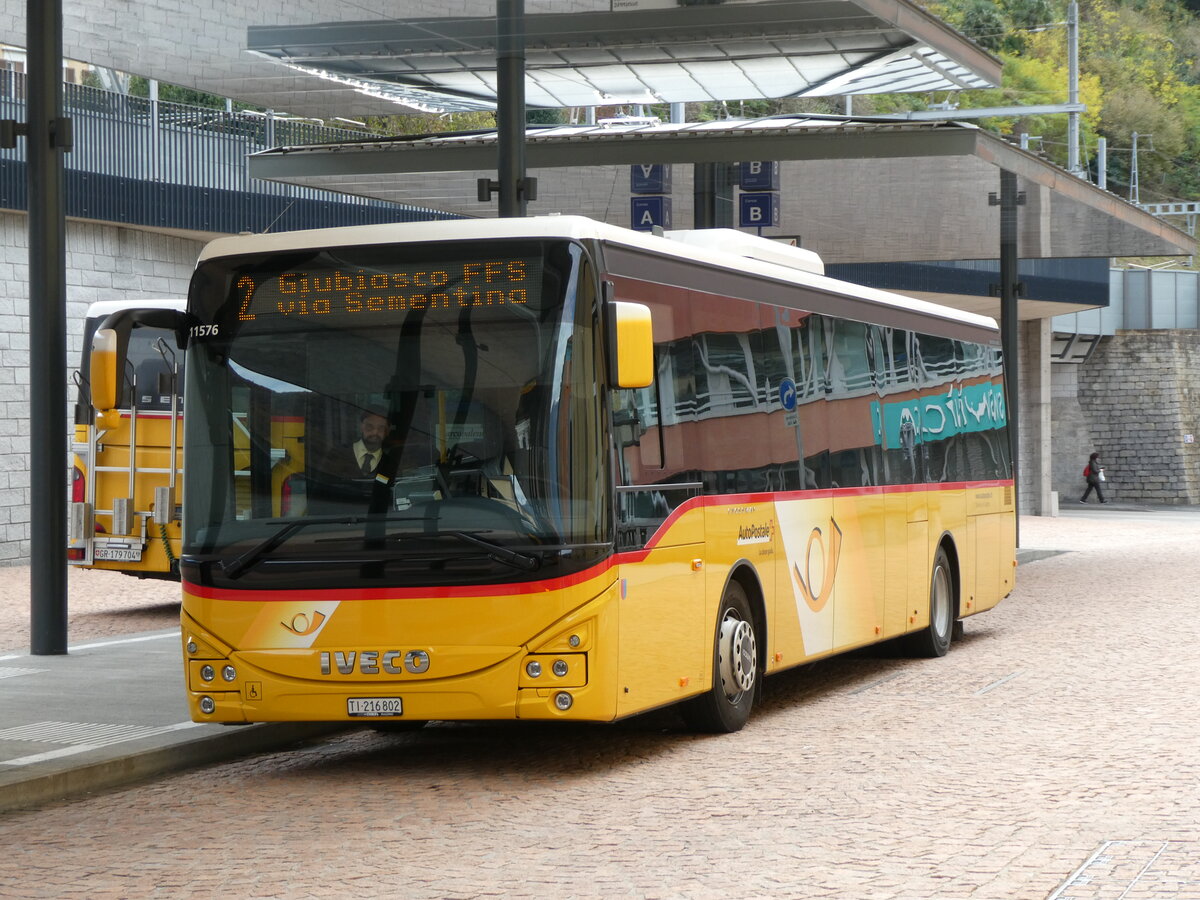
(104, 263)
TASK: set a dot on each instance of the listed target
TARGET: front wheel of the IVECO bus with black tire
(727, 706)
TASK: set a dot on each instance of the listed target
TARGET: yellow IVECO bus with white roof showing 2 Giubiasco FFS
(614, 472)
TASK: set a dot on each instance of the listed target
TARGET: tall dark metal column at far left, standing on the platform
(49, 137)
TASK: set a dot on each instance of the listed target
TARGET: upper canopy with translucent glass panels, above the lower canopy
(644, 52)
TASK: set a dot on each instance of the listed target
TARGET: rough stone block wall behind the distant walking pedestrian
(1136, 403)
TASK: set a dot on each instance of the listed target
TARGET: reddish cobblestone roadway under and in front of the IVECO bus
(1052, 754)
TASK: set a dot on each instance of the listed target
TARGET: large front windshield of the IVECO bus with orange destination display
(401, 415)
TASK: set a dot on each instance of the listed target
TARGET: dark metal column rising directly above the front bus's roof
(511, 106)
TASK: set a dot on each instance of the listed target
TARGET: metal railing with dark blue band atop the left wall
(158, 164)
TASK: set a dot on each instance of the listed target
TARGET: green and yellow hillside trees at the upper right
(1139, 73)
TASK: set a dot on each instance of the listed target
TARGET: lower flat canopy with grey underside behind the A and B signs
(856, 190)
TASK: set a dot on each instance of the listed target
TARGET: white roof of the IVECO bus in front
(770, 260)
